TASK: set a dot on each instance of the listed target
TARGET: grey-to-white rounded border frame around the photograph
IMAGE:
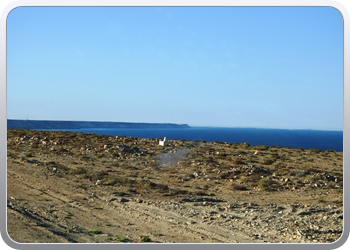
(106, 3)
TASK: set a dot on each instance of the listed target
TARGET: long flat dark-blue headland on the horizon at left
(43, 124)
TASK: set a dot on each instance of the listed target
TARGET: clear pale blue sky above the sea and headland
(265, 67)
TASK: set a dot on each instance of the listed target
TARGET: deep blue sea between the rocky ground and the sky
(306, 139)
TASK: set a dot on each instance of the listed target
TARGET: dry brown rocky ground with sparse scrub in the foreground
(74, 187)
